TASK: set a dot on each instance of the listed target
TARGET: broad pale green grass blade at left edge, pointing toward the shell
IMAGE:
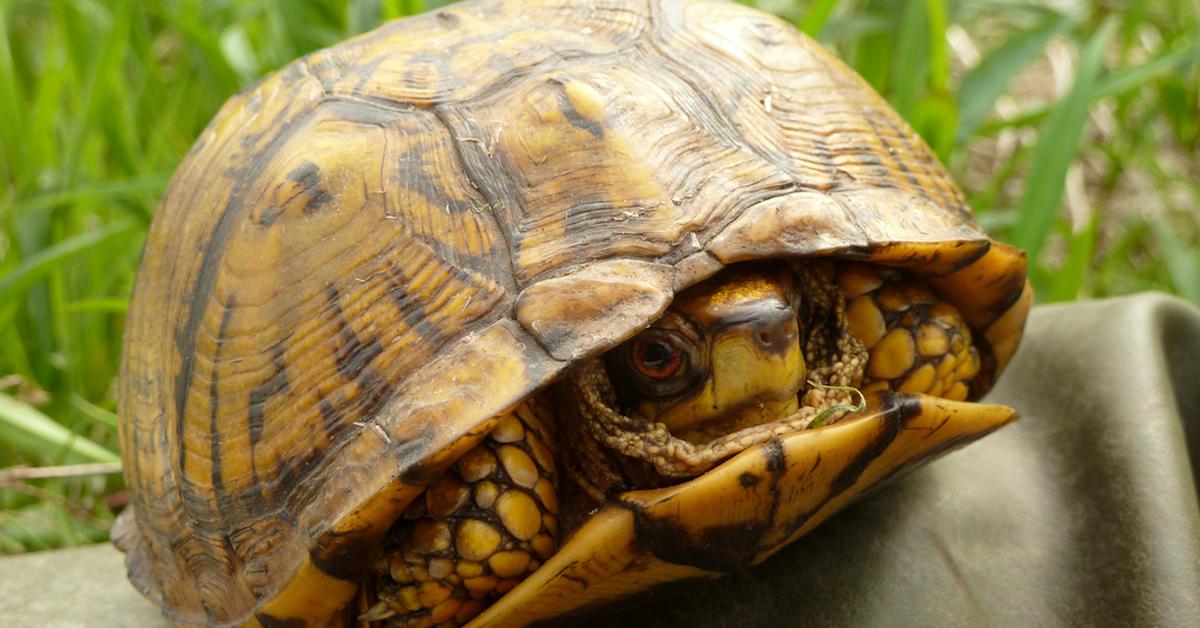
(26, 429)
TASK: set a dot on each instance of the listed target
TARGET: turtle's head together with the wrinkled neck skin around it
(728, 366)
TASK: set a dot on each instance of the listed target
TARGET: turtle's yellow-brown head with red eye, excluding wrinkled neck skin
(727, 356)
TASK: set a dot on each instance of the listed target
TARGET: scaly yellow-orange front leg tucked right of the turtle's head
(917, 343)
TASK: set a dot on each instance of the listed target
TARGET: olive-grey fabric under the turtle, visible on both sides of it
(1084, 513)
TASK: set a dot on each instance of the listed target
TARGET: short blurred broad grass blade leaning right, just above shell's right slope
(988, 80)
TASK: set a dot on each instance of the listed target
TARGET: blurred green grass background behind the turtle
(1073, 127)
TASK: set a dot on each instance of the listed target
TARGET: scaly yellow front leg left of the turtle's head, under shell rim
(475, 534)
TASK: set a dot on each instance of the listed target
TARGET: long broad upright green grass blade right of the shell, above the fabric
(1057, 149)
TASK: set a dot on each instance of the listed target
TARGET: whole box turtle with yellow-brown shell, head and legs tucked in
(509, 310)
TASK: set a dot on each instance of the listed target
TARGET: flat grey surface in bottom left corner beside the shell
(70, 589)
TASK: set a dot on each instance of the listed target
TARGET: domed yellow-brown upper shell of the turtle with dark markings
(380, 248)
